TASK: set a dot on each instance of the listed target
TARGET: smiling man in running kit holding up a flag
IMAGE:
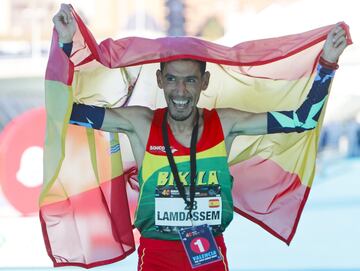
(171, 196)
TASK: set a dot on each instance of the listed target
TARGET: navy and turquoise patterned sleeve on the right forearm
(307, 116)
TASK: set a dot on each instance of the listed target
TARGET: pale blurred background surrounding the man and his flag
(328, 235)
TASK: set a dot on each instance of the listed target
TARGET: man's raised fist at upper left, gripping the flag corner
(64, 23)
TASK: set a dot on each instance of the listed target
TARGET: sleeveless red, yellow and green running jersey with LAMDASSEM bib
(161, 211)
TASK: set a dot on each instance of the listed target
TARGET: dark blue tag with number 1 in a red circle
(200, 245)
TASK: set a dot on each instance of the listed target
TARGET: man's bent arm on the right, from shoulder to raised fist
(237, 122)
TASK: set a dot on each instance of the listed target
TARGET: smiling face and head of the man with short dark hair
(182, 83)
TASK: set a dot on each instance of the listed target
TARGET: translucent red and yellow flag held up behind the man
(84, 209)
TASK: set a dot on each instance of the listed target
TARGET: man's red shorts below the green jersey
(164, 255)
